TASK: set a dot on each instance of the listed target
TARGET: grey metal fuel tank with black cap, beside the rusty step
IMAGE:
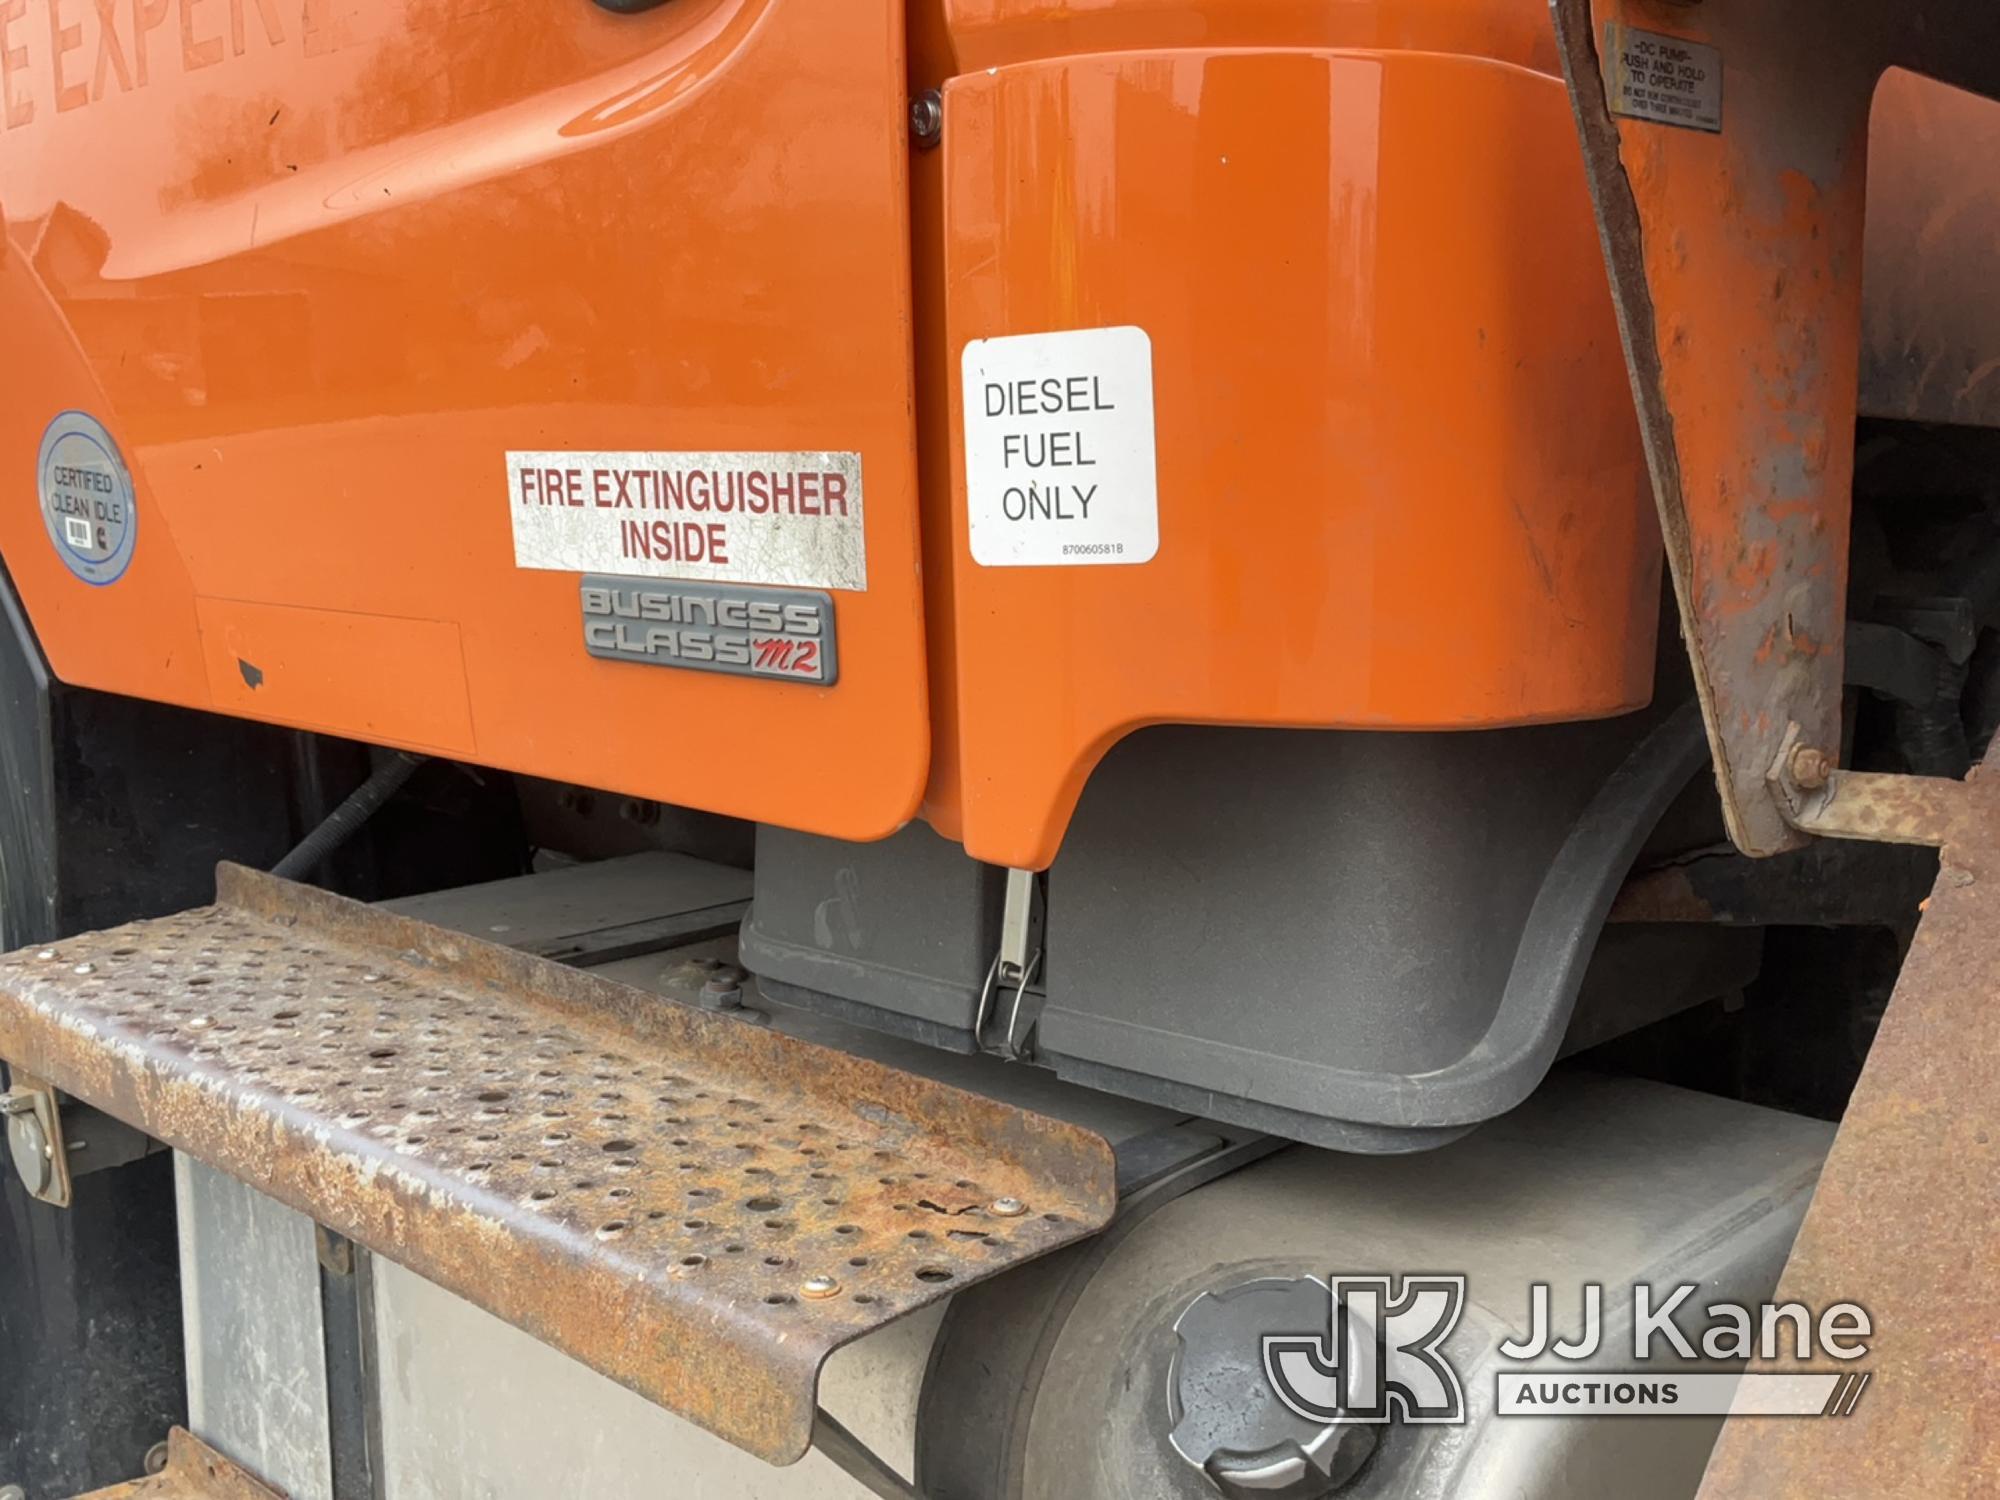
(1059, 1381)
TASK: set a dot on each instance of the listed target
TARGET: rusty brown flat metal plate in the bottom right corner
(1903, 1223)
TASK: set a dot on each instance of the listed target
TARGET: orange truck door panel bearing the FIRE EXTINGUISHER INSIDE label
(319, 267)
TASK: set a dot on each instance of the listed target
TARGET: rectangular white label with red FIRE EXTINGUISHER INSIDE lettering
(747, 519)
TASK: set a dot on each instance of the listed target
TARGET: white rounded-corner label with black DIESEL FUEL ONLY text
(1061, 461)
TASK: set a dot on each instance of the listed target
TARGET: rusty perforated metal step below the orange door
(693, 1205)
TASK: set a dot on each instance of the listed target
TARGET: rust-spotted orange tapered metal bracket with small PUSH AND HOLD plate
(1737, 271)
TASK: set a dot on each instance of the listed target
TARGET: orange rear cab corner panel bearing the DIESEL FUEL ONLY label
(1397, 469)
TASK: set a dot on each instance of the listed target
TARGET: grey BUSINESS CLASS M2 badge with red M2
(757, 633)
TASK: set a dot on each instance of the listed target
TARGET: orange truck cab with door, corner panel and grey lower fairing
(653, 409)
